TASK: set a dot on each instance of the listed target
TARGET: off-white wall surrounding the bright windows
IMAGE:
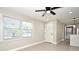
(37, 32)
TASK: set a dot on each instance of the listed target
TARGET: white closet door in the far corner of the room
(49, 32)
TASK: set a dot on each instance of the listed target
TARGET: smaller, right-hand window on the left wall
(26, 29)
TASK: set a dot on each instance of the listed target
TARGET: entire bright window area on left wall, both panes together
(15, 28)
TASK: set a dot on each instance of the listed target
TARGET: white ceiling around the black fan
(62, 14)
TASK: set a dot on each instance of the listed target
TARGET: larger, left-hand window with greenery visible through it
(11, 27)
